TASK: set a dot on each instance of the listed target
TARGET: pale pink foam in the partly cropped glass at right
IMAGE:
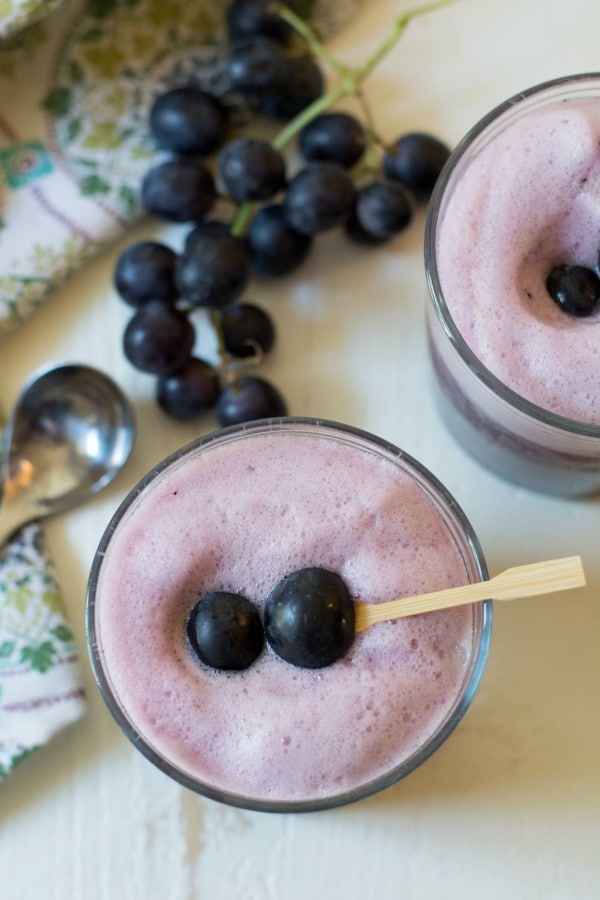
(528, 201)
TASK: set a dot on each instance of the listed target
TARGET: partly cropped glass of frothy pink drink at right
(519, 377)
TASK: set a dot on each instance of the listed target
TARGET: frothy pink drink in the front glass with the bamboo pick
(237, 514)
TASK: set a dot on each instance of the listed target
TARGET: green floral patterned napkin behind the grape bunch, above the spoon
(75, 89)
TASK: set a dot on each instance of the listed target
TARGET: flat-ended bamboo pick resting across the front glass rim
(519, 581)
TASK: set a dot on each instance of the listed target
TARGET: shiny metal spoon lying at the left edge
(71, 431)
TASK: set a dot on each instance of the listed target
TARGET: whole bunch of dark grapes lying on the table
(273, 215)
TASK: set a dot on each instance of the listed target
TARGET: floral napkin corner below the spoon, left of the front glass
(41, 687)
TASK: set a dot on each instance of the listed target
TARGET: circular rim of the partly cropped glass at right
(485, 376)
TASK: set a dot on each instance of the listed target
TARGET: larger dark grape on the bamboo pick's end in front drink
(309, 618)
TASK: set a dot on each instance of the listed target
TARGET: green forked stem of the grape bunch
(349, 80)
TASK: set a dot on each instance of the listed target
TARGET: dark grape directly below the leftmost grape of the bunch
(158, 338)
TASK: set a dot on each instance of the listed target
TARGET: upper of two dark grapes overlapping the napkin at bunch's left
(188, 120)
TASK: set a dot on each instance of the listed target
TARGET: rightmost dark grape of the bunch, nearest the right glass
(416, 160)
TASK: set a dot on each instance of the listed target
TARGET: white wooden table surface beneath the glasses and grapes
(510, 806)
